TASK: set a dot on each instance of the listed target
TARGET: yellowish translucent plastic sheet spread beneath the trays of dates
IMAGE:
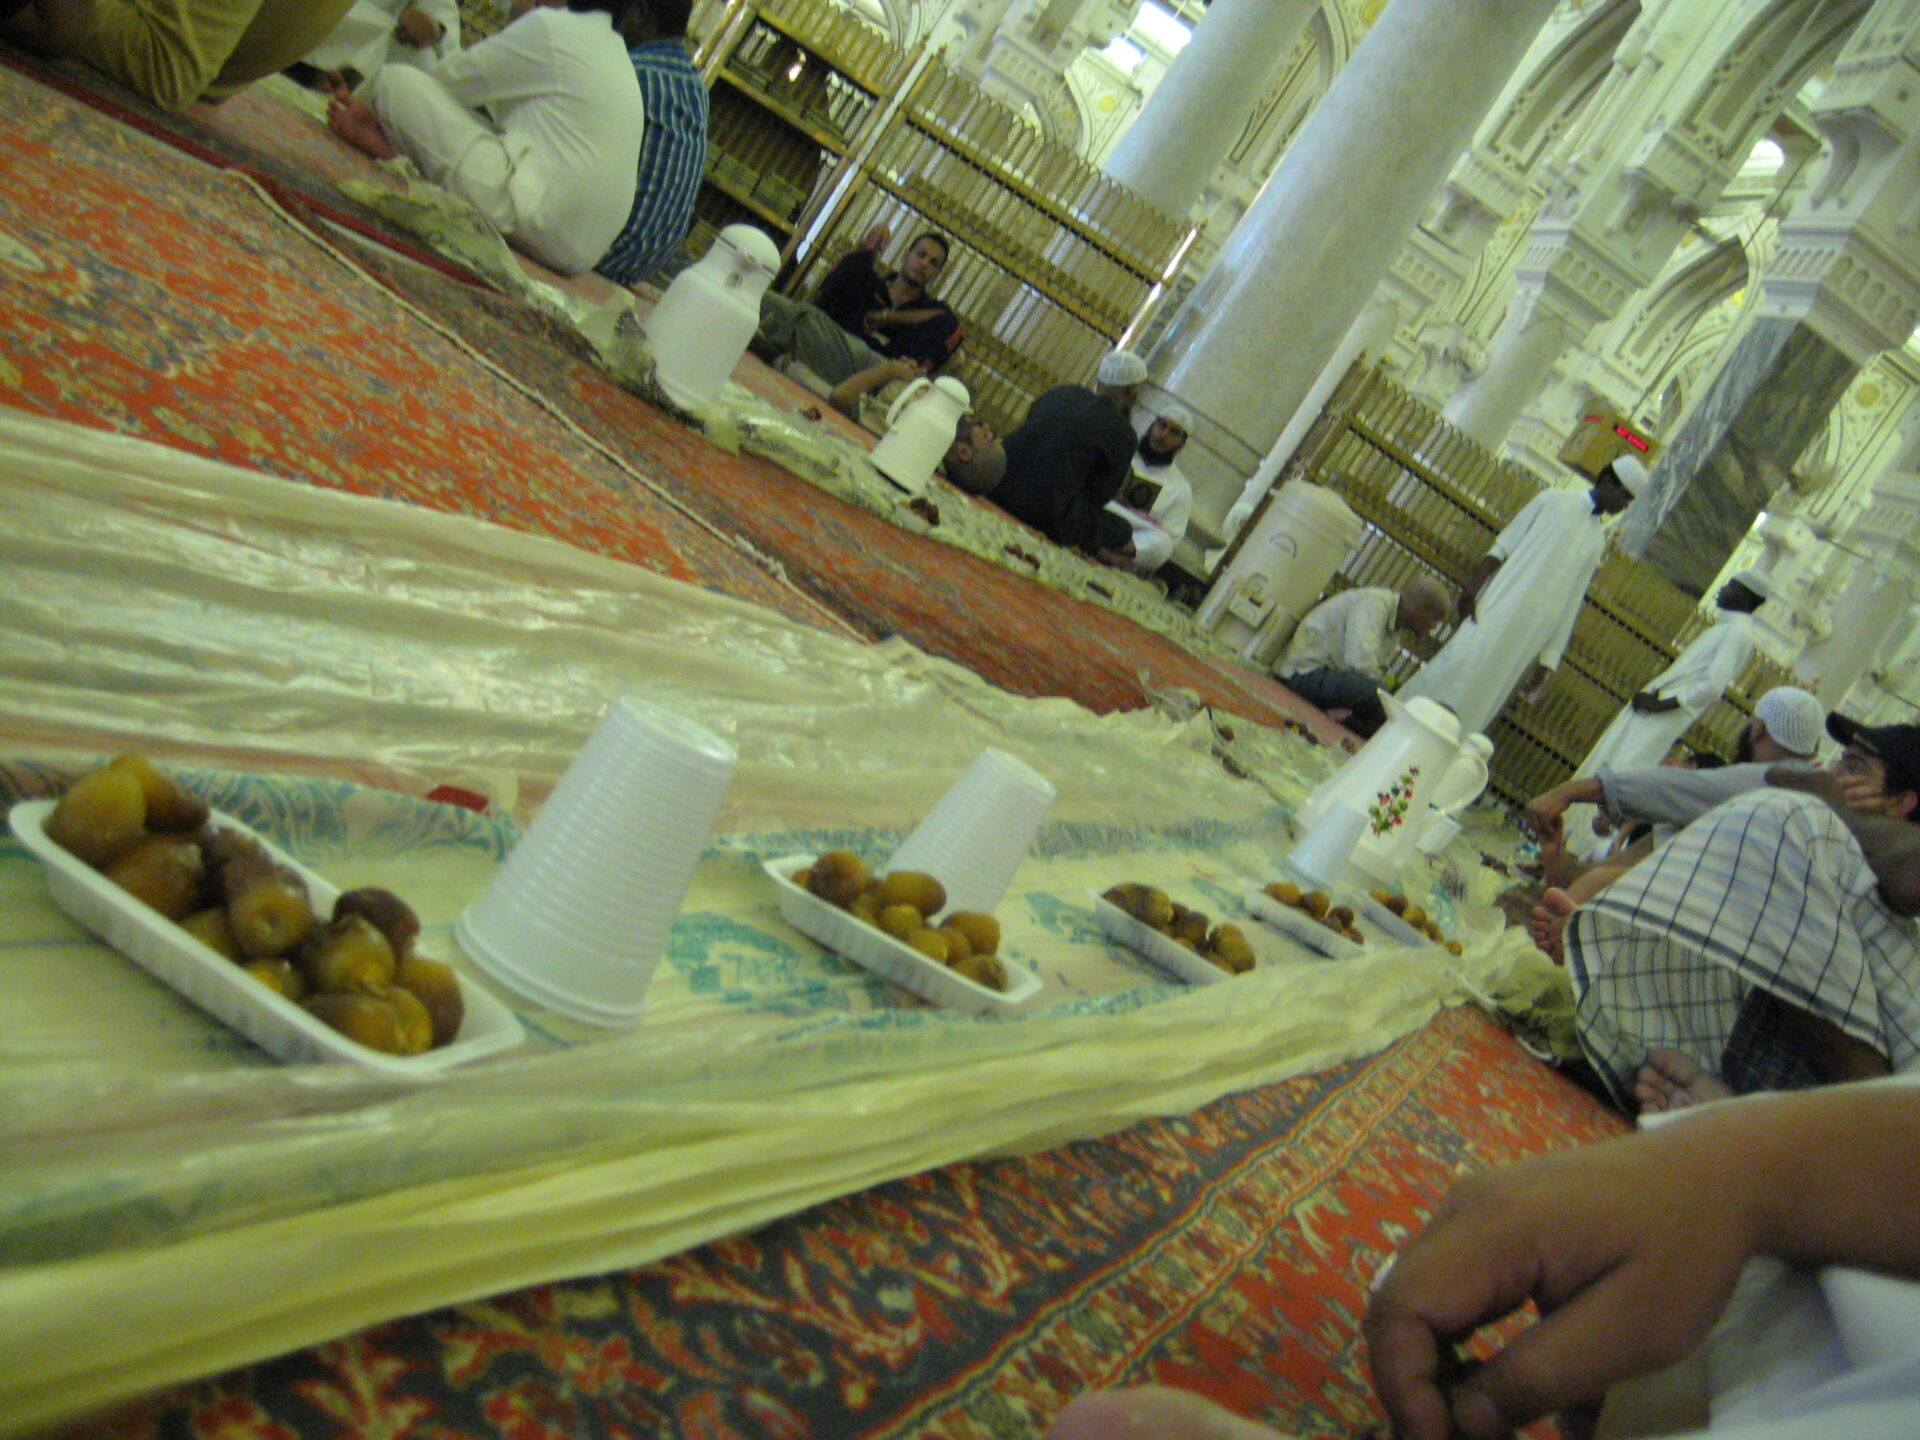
(174, 1203)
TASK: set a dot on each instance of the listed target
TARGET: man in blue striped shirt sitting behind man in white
(673, 156)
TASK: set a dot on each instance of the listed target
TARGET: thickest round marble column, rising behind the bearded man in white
(1320, 237)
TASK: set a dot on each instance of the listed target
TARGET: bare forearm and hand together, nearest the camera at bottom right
(1598, 1236)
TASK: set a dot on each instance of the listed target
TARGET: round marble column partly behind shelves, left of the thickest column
(1205, 101)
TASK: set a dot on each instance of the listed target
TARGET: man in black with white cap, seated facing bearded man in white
(1072, 456)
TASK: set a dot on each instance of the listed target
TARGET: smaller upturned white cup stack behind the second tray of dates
(978, 832)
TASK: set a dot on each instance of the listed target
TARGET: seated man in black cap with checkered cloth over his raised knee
(1769, 942)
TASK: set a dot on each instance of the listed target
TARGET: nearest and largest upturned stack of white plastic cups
(579, 917)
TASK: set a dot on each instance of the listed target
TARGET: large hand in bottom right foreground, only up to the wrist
(1627, 1247)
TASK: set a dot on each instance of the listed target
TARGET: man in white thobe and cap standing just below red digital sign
(1522, 602)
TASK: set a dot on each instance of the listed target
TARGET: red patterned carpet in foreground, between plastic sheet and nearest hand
(1224, 1253)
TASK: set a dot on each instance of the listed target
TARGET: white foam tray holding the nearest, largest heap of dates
(222, 988)
